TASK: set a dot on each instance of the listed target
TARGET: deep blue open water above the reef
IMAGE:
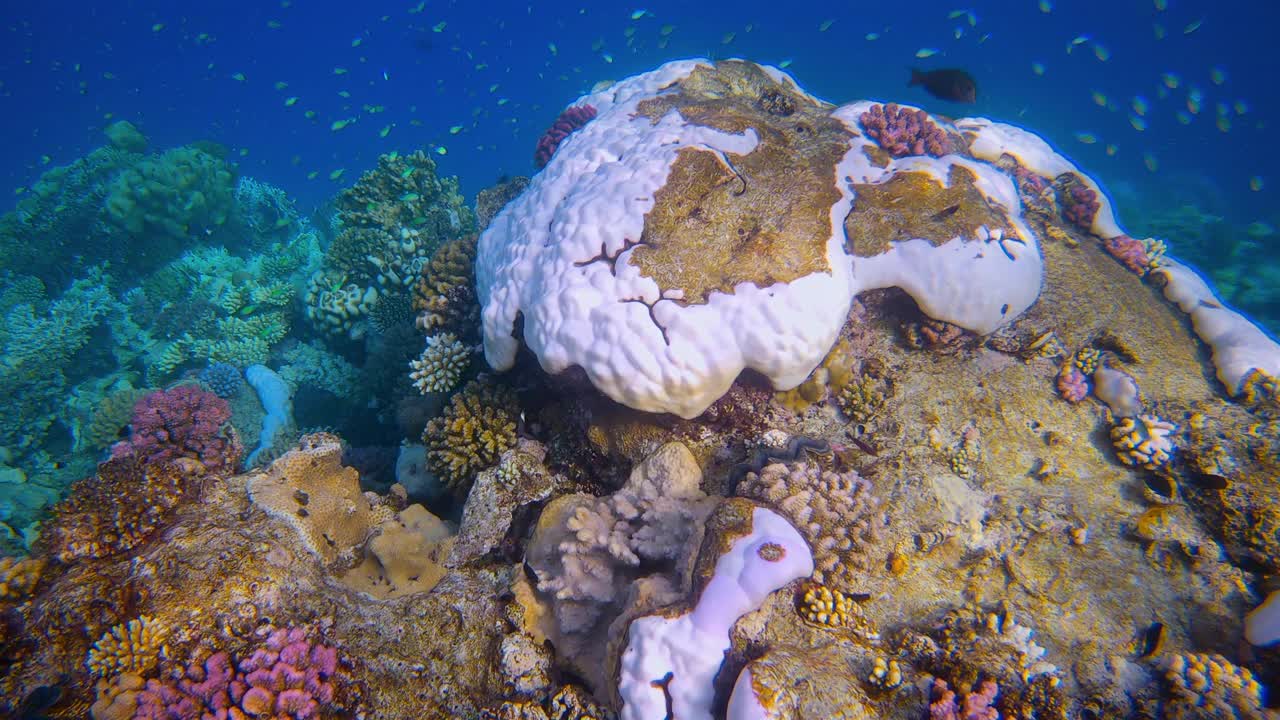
(482, 81)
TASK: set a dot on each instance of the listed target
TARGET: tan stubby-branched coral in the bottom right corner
(1203, 686)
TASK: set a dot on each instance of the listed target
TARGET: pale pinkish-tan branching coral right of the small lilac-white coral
(835, 512)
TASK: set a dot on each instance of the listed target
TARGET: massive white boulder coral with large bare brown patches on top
(700, 226)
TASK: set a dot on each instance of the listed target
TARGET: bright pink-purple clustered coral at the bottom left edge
(287, 678)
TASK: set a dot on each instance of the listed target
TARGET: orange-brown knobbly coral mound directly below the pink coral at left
(124, 505)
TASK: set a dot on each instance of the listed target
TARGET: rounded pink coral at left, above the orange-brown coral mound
(181, 422)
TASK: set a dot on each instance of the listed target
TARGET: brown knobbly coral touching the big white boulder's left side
(445, 295)
